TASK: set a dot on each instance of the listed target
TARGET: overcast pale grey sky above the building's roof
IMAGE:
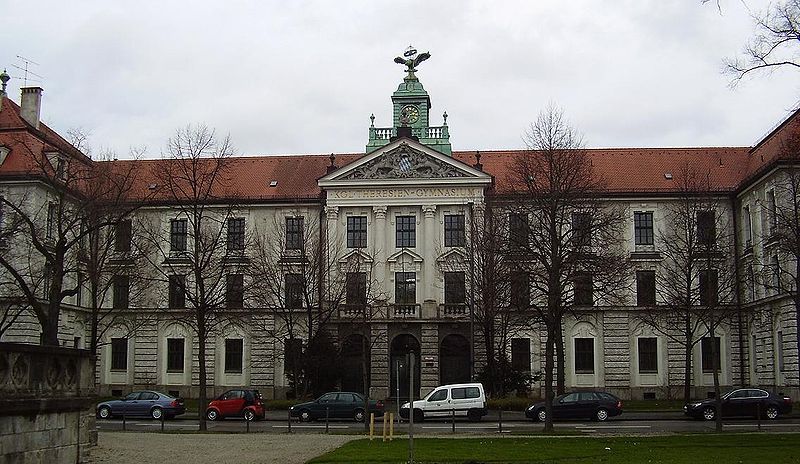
(303, 77)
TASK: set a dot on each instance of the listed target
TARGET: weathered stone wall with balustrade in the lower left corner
(46, 404)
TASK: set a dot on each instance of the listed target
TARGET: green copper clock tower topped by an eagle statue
(411, 106)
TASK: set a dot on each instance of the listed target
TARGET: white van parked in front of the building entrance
(465, 399)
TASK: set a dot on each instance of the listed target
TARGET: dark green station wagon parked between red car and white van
(337, 405)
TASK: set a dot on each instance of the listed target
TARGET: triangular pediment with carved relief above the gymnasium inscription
(402, 161)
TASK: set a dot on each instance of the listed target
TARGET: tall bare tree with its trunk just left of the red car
(190, 257)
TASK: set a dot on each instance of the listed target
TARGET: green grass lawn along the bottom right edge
(689, 449)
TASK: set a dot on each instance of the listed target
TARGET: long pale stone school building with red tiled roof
(391, 229)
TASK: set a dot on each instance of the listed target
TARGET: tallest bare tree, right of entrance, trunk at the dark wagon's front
(565, 234)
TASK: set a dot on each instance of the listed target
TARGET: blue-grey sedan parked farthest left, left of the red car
(143, 404)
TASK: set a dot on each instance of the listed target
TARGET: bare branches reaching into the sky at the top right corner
(776, 43)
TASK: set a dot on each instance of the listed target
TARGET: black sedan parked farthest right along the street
(741, 402)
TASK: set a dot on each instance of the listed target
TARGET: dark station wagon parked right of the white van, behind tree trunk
(594, 405)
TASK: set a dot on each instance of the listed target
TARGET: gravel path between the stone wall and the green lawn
(254, 448)
